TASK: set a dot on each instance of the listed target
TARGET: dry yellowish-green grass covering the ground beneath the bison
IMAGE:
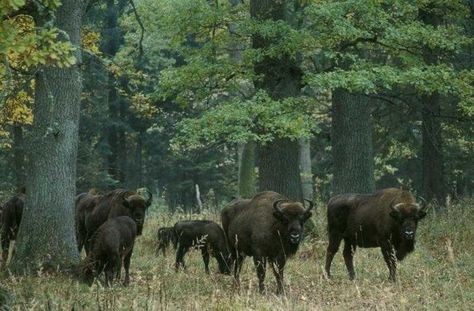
(439, 275)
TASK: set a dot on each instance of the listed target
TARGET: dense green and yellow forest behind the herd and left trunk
(309, 98)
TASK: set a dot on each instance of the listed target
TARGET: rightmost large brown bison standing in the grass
(387, 219)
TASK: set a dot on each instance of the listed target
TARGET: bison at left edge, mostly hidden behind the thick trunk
(10, 222)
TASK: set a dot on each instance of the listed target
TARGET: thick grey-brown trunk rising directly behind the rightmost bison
(351, 141)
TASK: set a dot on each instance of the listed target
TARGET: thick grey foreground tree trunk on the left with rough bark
(46, 236)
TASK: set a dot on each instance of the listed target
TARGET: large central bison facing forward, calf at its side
(269, 227)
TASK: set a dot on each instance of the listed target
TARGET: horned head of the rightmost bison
(407, 216)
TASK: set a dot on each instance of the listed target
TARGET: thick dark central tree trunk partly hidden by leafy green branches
(281, 77)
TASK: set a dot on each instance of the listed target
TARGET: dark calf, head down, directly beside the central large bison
(206, 235)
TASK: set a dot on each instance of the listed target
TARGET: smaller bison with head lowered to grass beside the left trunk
(111, 245)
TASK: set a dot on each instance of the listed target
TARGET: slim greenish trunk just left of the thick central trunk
(247, 170)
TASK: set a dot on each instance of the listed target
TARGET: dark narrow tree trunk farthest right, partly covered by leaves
(432, 150)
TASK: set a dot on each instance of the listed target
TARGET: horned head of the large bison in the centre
(293, 215)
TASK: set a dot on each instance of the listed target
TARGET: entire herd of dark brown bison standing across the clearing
(268, 228)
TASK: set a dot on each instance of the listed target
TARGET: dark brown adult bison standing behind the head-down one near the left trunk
(93, 210)
